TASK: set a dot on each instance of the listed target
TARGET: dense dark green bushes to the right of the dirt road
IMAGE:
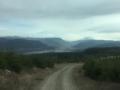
(103, 69)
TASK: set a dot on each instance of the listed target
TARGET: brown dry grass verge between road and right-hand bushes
(86, 83)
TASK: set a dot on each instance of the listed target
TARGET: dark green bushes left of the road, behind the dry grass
(17, 63)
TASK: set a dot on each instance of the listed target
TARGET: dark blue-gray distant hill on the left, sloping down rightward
(22, 45)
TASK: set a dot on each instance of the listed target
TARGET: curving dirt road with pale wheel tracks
(60, 80)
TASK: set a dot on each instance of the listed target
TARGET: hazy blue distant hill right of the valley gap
(84, 44)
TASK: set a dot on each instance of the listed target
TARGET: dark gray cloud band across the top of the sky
(58, 8)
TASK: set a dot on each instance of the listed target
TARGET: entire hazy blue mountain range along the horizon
(51, 44)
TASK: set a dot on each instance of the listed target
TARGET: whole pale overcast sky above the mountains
(67, 19)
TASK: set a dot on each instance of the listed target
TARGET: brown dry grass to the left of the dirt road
(22, 81)
